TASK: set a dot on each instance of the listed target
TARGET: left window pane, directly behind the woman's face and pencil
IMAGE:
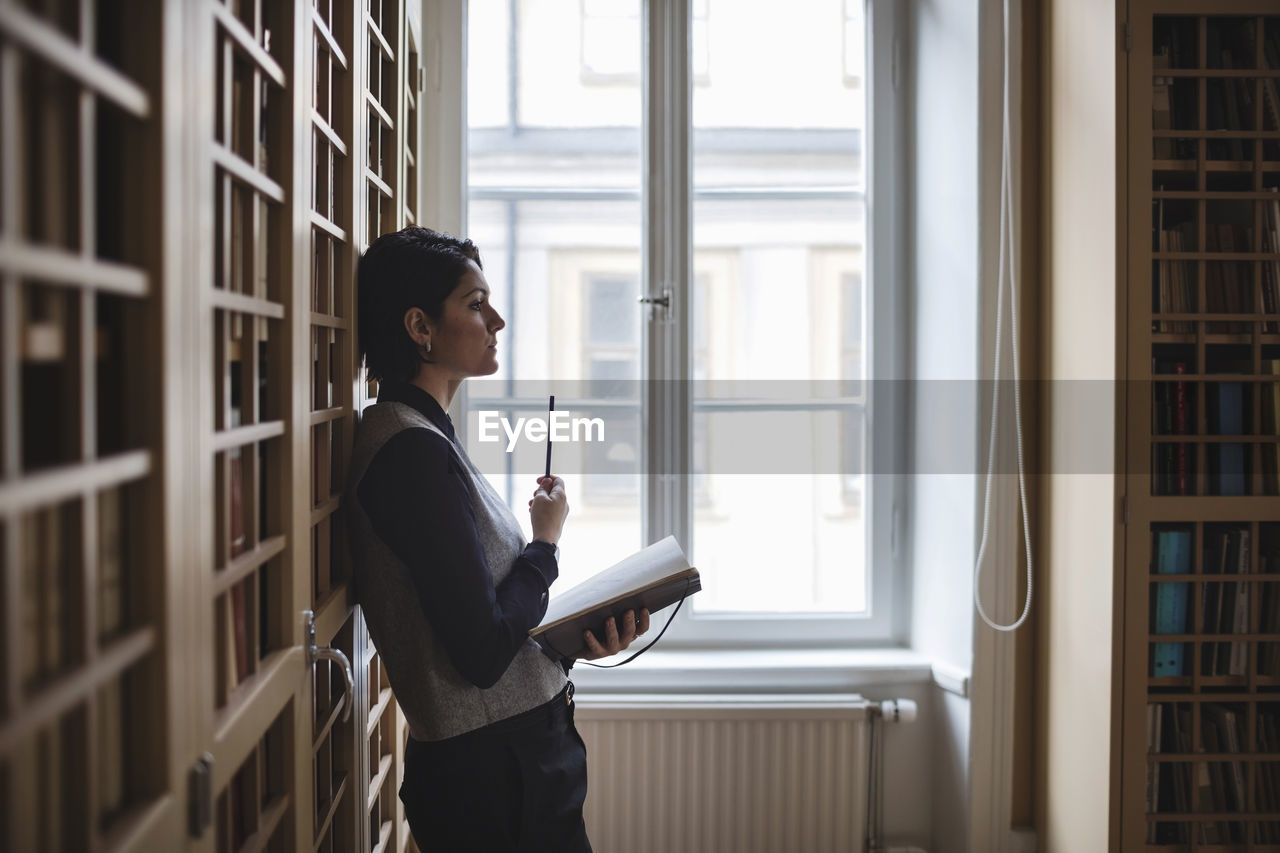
(555, 208)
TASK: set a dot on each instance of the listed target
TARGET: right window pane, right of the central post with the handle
(779, 307)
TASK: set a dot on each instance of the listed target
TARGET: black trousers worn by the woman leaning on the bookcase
(516, 786)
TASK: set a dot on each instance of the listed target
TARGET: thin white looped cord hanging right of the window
(1007, 247)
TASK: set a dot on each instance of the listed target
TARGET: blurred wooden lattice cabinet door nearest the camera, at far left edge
(90, 741)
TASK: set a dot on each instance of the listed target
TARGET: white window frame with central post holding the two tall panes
(668, 266)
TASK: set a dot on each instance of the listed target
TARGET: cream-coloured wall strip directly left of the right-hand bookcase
(1080, 311)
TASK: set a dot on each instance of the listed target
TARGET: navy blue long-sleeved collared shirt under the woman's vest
(415, 495)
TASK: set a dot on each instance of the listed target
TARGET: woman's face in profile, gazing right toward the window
(465, 340)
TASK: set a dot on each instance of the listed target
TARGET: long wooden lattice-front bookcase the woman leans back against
(185, 190)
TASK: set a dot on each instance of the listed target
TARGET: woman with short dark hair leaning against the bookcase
(447, 582)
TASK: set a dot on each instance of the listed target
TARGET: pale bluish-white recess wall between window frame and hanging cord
(944, 300)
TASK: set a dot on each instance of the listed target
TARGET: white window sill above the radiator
(764, 672)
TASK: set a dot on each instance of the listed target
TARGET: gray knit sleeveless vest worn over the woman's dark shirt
(438, 703)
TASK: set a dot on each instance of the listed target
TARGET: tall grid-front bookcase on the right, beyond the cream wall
(1201, 672)
